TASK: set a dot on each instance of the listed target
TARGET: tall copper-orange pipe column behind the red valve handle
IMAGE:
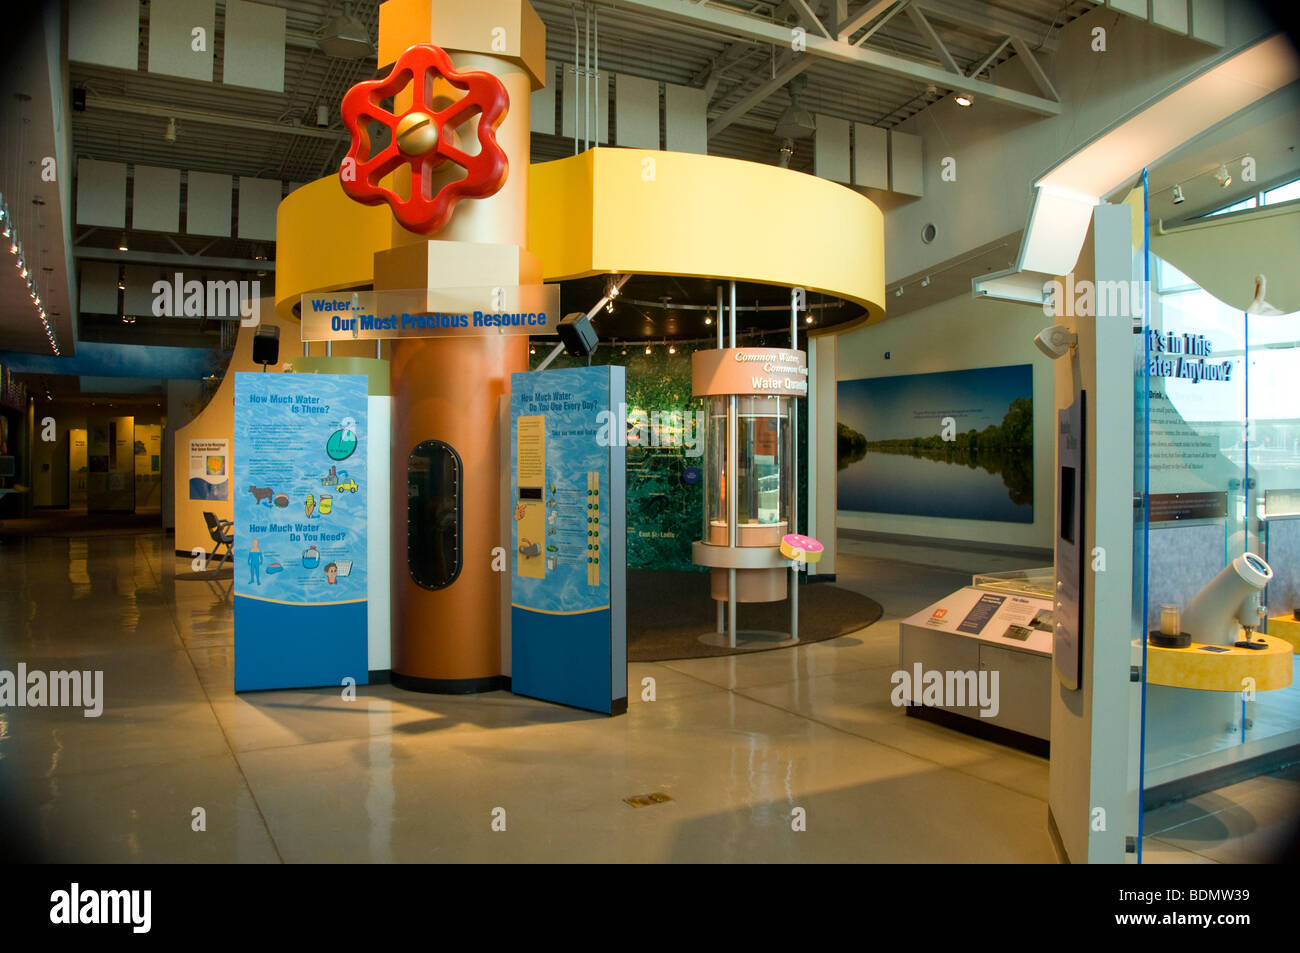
(449, 388)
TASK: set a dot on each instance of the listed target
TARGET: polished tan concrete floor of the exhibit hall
(302, 777)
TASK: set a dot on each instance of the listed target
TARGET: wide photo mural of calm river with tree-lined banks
(956, 444)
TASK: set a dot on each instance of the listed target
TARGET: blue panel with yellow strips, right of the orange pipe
(569, 620)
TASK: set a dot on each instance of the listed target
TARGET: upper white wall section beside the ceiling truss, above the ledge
(1000, 151)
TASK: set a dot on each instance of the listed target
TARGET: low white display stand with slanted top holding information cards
(986, 627)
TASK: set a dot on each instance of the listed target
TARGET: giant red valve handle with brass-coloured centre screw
(422, 138)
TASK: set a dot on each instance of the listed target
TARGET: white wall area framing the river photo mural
(952, 336)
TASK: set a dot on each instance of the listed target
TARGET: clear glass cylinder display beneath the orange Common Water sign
(765, 479)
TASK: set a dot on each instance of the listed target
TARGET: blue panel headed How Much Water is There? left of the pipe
(300, 510)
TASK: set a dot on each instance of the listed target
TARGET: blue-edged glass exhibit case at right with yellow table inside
(1217, 532)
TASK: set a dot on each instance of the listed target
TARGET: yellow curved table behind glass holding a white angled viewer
(1223, 672)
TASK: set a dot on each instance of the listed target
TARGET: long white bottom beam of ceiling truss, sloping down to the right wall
(738, 25)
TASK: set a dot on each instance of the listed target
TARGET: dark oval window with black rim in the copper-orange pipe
(434, 516)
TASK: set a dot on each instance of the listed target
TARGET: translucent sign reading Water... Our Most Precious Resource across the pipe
(431, 314)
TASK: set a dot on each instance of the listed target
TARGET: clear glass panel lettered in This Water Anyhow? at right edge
(1224, 478)
